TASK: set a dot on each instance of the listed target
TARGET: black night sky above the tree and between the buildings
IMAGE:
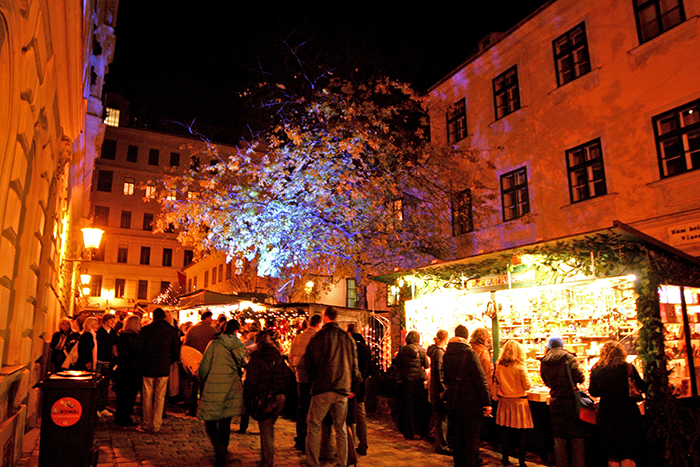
(182, 64)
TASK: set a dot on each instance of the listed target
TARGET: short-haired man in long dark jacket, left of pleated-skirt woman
(467, 397)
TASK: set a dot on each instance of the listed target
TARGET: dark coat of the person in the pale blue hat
(555, 376)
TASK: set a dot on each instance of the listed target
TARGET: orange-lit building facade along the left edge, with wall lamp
(53, 57)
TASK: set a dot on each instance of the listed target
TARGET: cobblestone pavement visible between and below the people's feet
(183, 442)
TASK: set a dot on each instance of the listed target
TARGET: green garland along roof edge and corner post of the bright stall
(674, 426)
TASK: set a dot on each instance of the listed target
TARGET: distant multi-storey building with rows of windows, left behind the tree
(135, 263)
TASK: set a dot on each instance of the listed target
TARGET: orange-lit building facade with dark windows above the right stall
(589, 112)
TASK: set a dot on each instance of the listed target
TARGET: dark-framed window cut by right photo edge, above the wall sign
(677, 135)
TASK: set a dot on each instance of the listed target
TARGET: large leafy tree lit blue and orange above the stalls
(347, 182)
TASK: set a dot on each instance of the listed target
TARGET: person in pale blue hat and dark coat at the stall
(568, 435)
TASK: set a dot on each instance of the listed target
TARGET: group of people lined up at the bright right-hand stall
(464, 385)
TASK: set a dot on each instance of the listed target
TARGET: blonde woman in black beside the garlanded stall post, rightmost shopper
(619, 419)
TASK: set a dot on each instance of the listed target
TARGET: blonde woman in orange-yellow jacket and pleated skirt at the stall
(513, 413)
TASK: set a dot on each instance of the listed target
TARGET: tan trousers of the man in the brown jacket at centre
(321, 404)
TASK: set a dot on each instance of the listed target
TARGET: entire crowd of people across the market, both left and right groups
(243, 373)
